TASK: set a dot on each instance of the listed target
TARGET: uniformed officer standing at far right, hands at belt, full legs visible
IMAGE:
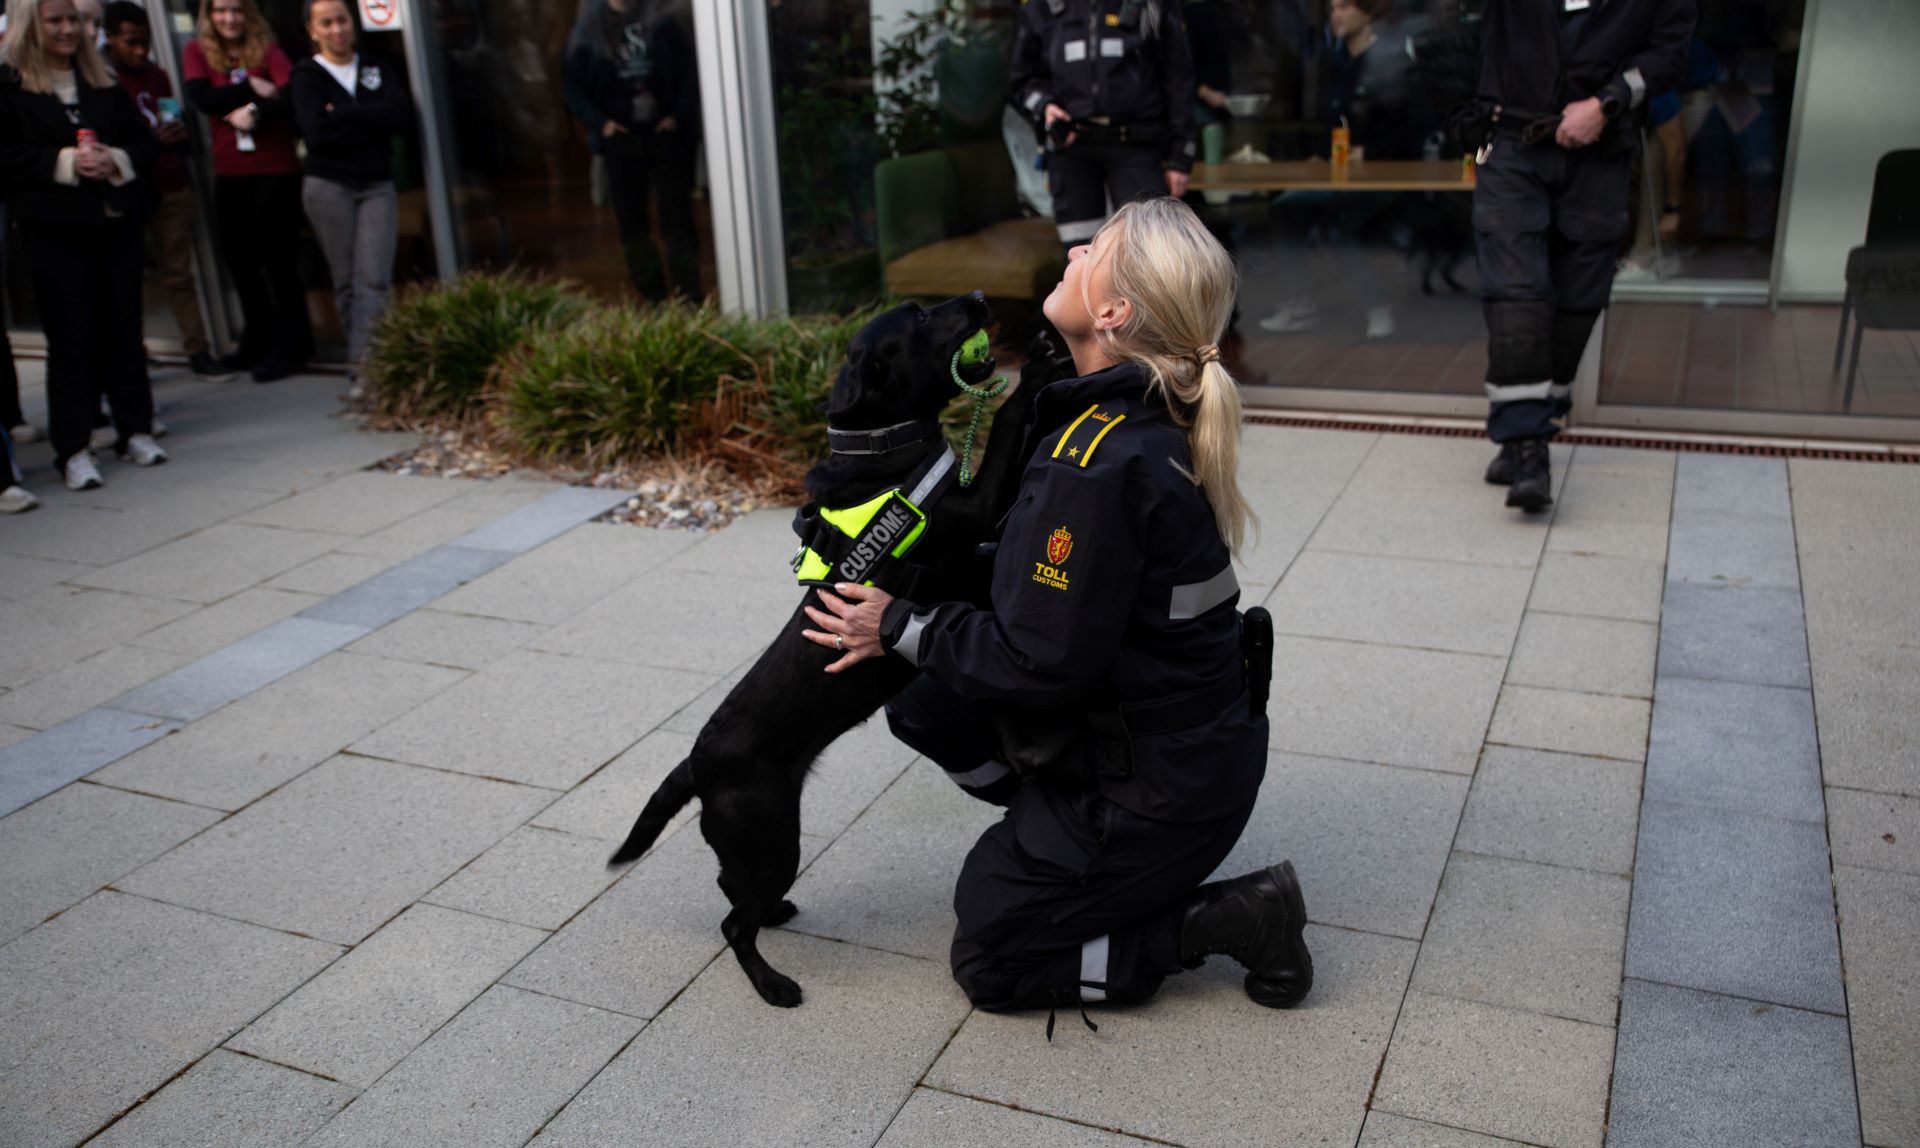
(1562, 87)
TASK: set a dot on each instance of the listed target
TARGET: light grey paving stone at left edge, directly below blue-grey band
(70, 844)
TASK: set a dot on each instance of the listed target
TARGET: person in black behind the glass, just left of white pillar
(631, 78)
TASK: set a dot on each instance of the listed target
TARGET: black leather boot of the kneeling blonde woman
(1259, 922)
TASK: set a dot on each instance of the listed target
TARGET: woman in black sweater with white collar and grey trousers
(350, 107)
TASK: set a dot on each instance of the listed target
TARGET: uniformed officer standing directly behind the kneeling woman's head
(1113, 87)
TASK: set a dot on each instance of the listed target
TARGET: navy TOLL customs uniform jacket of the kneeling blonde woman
(1111, 586)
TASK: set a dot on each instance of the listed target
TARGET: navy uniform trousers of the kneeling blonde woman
(1068, 897)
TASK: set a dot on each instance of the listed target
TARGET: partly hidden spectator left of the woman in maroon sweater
(170, 193)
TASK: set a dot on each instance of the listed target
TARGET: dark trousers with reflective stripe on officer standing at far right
(1547, 226)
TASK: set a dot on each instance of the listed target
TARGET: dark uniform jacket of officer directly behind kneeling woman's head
(1118, 60)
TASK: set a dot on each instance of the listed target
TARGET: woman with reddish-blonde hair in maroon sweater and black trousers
(237, 76)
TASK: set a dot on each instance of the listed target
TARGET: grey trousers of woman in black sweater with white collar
(358, 231)
